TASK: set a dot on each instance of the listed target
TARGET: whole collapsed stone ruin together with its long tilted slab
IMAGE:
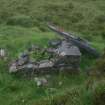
(62, 55)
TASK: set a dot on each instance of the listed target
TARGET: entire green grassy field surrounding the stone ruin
(23, 22)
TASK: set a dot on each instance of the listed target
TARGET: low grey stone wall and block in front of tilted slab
(65, 55)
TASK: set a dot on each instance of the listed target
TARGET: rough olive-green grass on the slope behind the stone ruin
(85, 17)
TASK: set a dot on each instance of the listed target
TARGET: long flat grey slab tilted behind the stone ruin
(77, 41)
